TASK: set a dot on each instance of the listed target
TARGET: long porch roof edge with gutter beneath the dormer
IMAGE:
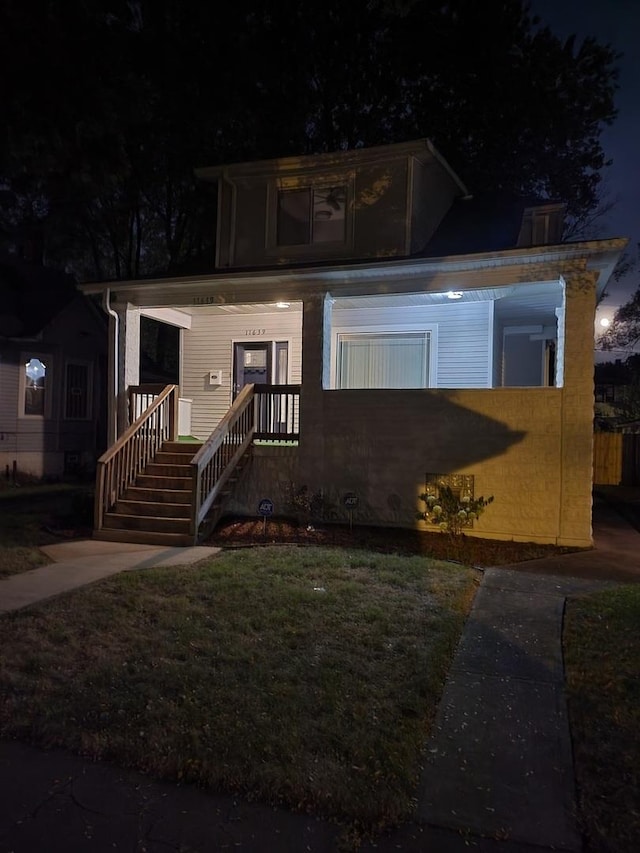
(480, 270)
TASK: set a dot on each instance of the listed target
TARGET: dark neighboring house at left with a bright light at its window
(53, 346)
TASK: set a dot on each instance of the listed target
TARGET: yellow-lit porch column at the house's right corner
(576, 482)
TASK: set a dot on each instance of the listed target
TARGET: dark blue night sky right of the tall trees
(616, 22)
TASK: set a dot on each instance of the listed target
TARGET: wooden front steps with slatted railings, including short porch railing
(153, 488)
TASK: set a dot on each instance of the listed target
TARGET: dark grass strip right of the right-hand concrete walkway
(602, 659)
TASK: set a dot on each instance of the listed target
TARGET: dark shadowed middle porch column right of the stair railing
(316, 357)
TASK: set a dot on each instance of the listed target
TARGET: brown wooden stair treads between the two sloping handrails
(157, 509)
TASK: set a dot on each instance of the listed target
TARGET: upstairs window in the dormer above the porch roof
(312, 215)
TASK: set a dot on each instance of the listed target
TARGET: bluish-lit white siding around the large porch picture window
(462, 354)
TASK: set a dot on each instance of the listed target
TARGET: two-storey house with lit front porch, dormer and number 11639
(372, 327)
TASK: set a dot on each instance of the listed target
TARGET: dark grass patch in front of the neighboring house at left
(32, 516)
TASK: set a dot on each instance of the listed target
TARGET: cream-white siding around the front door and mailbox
(208, 345)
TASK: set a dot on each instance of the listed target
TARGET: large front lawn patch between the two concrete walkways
(303, 677)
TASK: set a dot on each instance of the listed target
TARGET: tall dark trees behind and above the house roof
(113, 103)
